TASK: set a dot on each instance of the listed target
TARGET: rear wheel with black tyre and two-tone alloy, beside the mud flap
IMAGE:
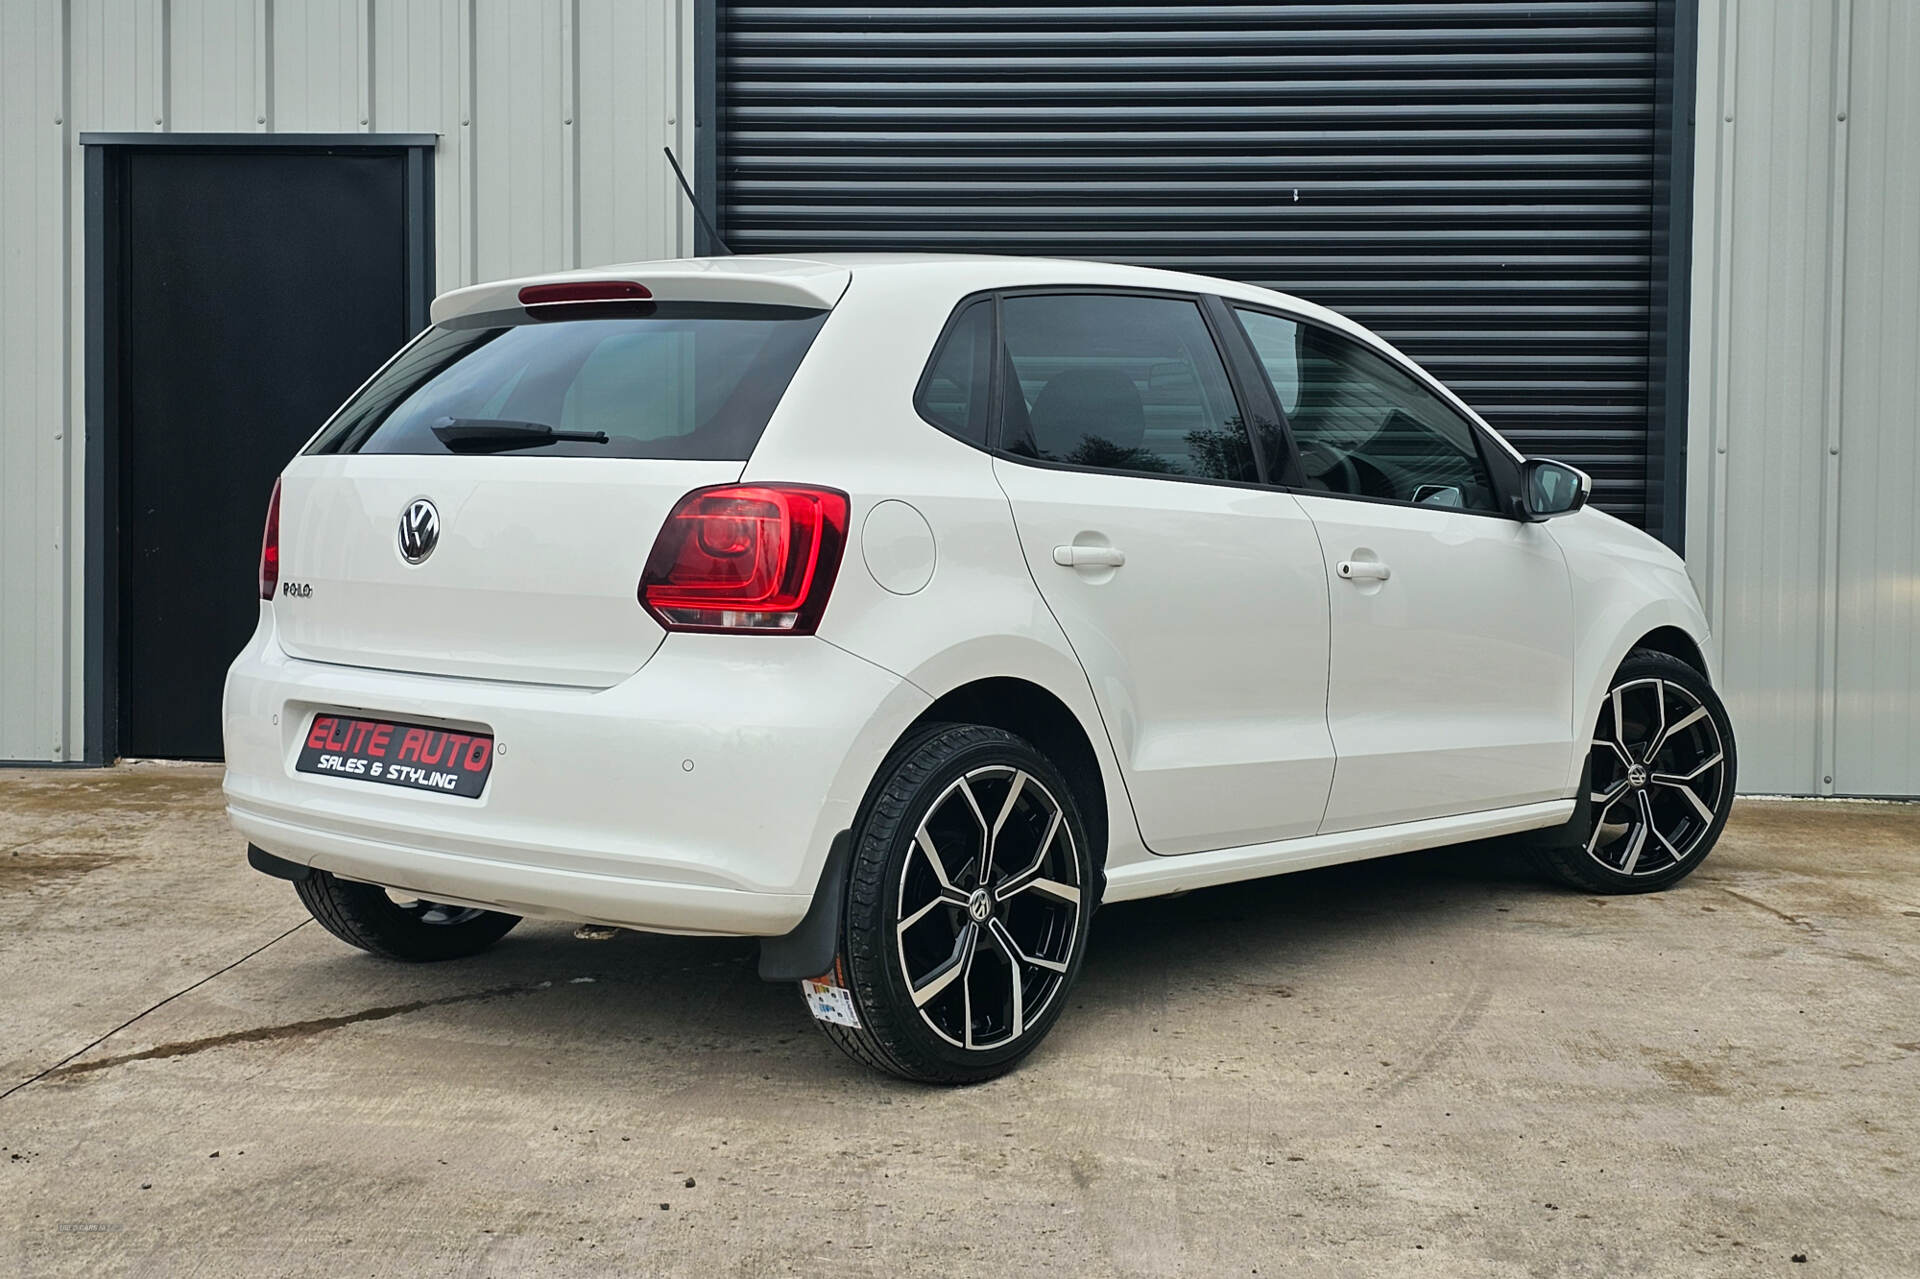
(969, 902)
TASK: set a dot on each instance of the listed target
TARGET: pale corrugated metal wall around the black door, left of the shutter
(552, 118)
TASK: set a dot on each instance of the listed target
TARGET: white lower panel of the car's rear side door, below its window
(1207, 648)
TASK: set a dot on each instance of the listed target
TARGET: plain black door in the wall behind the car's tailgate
(256, 291)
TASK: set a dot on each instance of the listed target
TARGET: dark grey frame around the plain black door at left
(105, 279)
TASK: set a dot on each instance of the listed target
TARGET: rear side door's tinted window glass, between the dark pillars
(1120, 383)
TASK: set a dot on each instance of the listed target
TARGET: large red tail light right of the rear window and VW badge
(748, 558)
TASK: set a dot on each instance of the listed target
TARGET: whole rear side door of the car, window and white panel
(1193, 596)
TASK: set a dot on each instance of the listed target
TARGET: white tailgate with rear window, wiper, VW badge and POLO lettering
(487, 504)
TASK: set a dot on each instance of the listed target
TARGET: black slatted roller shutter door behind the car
(1472, 180)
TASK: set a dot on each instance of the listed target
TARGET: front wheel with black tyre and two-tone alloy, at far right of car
(1660, 783)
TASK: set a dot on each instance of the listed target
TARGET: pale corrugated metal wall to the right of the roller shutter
(1804, 523)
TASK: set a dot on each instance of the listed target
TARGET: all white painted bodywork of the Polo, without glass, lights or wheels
(1191, 635)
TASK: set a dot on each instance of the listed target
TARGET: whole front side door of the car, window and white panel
(1451, 685)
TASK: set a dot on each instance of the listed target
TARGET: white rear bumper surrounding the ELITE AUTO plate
(700, 796)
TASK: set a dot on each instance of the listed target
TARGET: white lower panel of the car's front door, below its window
(1451, 687)
